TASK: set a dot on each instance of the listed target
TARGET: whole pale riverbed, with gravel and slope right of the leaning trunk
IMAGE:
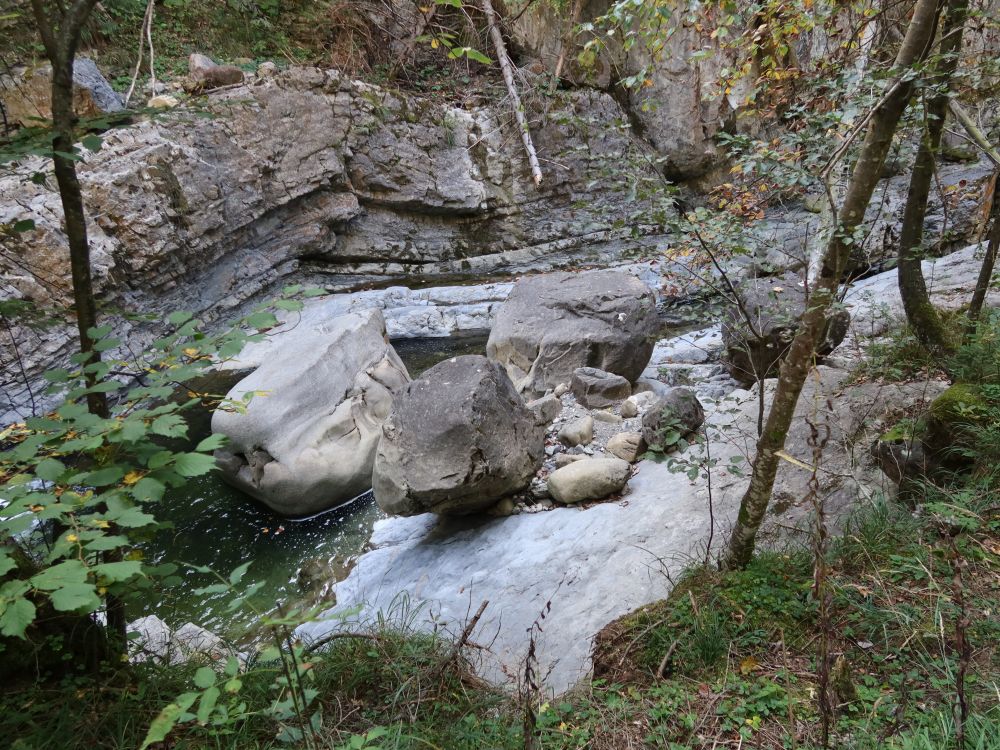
(583, 566)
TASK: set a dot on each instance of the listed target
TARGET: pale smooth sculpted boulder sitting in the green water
(307, 441)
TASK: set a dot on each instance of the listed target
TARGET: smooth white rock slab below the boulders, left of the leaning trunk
(593, 565)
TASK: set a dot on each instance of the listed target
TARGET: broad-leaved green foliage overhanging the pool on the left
(80, 491)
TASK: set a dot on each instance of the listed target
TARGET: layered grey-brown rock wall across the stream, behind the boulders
(308, 176)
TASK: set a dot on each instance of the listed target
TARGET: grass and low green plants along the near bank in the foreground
(727, 658)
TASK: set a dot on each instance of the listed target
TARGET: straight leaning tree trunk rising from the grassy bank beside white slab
(799, 360)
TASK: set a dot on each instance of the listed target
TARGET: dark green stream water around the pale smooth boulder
(216, 526)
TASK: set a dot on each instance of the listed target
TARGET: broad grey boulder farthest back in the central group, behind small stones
(554, 323)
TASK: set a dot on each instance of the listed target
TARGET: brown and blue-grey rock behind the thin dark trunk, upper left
(27, 96)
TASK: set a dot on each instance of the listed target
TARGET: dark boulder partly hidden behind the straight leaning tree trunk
(759, 327)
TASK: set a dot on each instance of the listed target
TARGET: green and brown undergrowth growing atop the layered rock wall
(359, 37)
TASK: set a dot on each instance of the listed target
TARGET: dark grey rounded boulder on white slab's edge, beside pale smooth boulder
(459, 439)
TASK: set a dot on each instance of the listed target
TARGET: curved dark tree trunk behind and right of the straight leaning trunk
(920, 313)
